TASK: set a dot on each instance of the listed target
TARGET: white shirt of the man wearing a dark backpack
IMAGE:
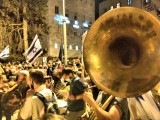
(33, 106)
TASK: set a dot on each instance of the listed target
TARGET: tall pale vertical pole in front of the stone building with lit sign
(64, 34)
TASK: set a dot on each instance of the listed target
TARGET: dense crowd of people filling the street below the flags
(76, 95)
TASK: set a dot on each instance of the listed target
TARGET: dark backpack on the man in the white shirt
(49, 106)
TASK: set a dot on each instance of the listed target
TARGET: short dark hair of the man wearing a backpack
(37, 76)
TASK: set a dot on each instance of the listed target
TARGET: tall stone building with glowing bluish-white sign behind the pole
(79, 14)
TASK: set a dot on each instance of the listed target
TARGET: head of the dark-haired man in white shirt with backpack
(36, 77)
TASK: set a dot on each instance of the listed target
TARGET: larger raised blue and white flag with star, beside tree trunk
(34, 51)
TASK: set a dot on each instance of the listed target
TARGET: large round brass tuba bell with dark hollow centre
(122, 52)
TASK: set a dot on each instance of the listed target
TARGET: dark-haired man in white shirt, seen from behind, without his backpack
(33, 107)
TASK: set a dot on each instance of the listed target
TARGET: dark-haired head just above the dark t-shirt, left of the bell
(68, 74)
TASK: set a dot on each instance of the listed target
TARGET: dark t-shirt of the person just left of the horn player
(77, 87)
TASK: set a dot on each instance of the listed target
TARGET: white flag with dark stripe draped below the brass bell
(144, 107)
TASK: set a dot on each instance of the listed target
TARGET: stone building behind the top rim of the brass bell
(151, 6)
